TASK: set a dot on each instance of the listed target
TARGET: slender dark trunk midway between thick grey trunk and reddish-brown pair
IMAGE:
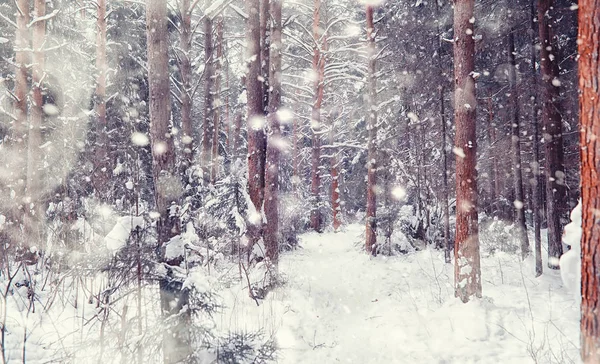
(209, 89)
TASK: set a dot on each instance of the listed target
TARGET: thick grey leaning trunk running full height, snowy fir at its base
(174, 298)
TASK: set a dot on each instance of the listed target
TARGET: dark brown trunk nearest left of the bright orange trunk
(556, 193)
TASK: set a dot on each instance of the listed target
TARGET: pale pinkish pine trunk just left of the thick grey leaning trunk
(102, 165)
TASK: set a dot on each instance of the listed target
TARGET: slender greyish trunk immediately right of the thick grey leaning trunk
(185, 70)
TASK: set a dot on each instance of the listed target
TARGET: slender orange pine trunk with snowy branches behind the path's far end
(319, 72)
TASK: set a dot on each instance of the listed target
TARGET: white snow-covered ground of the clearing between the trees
(340, 305)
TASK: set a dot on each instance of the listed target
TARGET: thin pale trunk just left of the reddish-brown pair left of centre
(217, 101)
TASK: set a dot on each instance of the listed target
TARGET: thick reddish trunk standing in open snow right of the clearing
(467, 271)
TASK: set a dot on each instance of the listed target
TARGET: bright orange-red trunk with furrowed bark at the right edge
(589, 104)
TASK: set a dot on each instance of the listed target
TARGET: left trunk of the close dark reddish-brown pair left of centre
(254, 89)
